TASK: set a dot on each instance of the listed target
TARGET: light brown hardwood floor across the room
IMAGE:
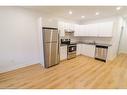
(80, 72)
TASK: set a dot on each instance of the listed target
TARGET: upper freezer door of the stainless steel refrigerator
(50, 35)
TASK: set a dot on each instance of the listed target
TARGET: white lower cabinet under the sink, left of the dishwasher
(86, 49)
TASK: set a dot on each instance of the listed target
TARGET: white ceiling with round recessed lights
(61, 12)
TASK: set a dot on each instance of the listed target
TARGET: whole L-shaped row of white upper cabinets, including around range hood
(104, 29)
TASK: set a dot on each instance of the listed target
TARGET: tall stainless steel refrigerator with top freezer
(51, 46)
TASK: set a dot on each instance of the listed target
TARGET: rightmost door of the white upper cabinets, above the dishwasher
(105, 29)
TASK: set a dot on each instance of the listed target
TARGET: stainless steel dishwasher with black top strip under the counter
(101, 53)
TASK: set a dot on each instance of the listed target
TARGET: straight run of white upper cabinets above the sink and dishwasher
(95, 30)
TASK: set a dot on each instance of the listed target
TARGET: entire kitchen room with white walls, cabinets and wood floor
(80, 43)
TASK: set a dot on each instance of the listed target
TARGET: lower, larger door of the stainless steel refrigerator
(51, 54)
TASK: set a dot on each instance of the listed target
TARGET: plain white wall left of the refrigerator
(19, 38)
